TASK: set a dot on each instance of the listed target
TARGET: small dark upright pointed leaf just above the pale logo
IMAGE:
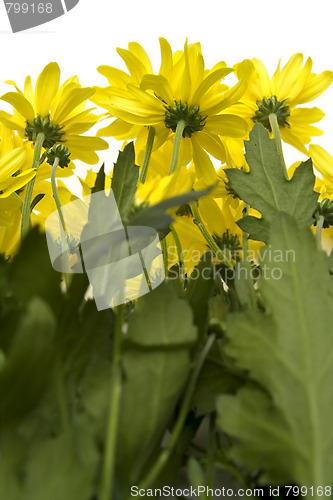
(125, 179)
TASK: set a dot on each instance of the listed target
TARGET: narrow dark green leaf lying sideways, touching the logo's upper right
(156, 217)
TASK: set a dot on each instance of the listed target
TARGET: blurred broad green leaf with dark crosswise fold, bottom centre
(156, 366)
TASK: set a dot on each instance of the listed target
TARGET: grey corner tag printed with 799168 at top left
(24, 15)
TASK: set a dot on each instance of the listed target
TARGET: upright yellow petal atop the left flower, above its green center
(46, 88)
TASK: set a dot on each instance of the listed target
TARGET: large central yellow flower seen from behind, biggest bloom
(184, 96)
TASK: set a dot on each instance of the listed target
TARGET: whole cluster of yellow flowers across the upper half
(188, 124)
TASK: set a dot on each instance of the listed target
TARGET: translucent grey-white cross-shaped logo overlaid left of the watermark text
(123, 263)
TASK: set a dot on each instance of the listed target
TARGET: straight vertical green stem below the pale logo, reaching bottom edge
(108, 470)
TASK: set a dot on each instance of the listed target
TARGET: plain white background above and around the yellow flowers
(88, 35)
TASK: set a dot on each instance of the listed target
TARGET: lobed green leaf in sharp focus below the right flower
(265, 187)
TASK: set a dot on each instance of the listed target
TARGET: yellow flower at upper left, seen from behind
(57, 111)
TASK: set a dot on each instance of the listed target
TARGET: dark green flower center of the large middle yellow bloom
(189, 114)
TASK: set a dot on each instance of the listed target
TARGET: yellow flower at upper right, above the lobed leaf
(289, 87)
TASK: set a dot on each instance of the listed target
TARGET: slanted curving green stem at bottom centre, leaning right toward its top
(176, 431)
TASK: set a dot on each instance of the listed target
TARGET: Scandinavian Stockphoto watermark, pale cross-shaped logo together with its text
(124, 263)
